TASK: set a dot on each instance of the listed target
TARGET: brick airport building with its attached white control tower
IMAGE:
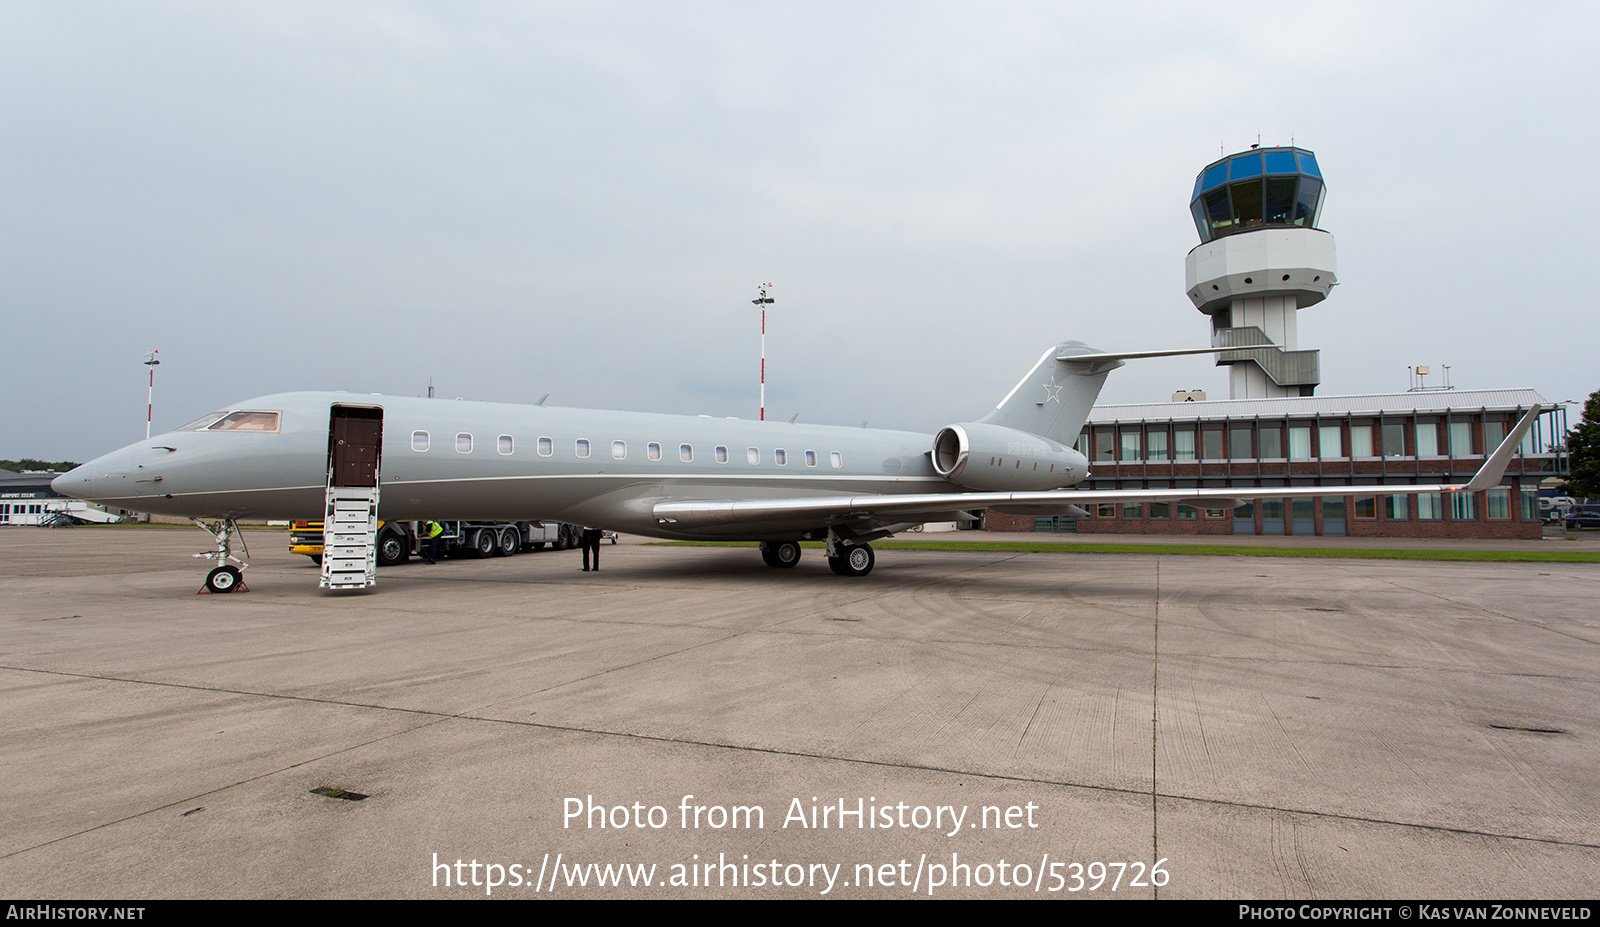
(1262, 260)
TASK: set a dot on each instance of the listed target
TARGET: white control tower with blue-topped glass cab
(1262, 260)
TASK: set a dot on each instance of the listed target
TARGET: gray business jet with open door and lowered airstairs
(665, 476)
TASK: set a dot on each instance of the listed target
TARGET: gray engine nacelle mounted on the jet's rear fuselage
(994, 459)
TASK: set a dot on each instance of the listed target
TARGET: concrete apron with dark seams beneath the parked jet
(1258, 728)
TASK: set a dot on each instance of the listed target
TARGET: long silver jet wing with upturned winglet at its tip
(884, 510)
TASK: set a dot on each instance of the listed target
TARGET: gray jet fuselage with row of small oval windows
(502, 462)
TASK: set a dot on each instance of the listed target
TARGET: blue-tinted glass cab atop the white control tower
(1255, 190)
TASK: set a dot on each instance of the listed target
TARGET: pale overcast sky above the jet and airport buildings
(580, 199)
